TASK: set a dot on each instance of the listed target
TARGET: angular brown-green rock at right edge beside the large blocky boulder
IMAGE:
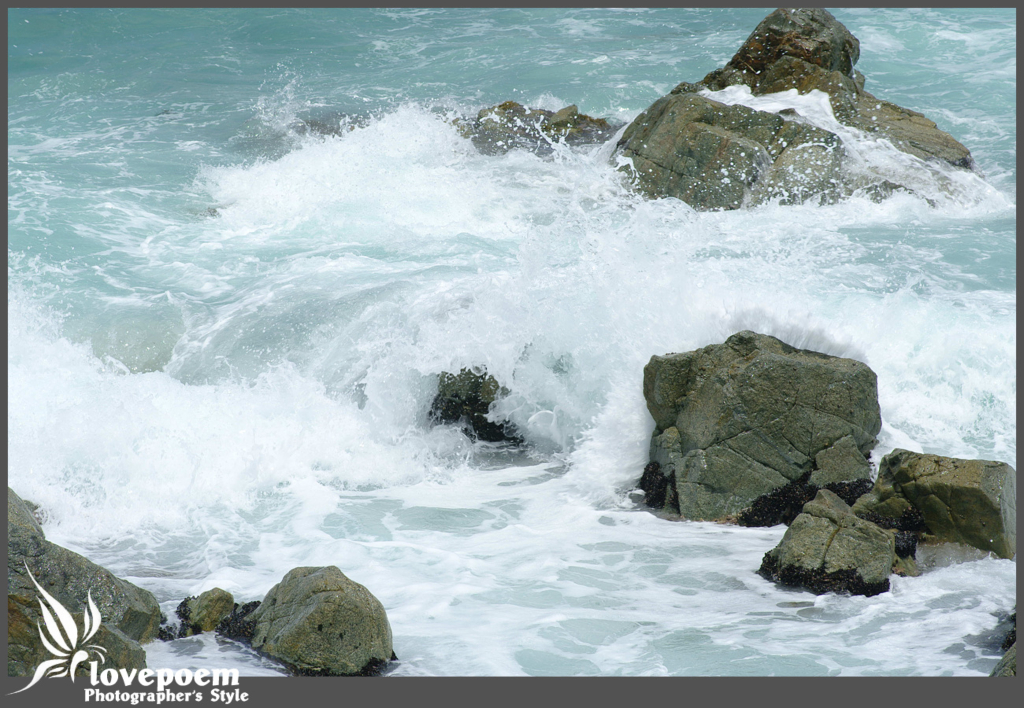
(973, 503)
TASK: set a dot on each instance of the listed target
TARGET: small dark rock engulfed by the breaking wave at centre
(465, 398)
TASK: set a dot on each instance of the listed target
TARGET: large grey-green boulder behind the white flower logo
(130, 614)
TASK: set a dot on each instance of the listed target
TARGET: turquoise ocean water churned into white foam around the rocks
(225, 334)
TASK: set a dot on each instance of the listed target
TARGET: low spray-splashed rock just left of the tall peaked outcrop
(506, 127)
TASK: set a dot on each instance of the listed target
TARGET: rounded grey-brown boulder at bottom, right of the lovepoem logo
(319, 622)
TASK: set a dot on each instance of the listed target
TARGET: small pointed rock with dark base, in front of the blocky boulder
(829, 550)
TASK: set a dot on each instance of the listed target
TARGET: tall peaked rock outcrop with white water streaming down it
(714, 156)
